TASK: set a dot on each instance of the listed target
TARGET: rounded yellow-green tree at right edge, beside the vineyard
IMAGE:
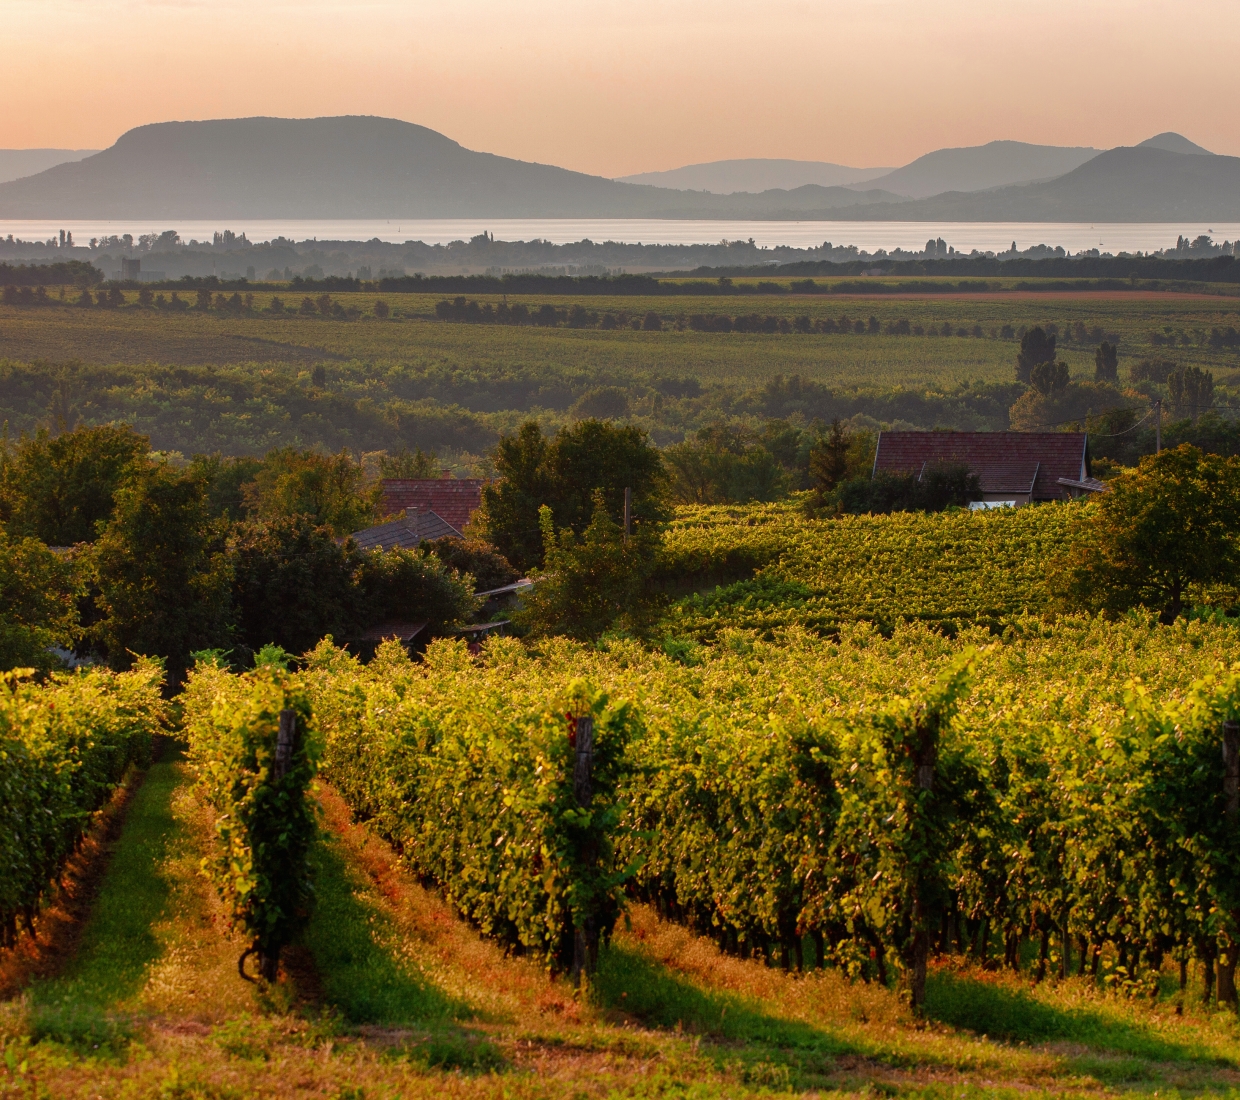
(1162, 530)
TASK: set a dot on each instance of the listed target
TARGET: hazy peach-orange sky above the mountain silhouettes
(624, 87)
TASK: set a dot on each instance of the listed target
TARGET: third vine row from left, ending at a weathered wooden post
(469, 771)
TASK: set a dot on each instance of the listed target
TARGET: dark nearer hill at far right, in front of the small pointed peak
(1140, 184)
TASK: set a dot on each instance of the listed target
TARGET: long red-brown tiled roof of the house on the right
(1005, 462)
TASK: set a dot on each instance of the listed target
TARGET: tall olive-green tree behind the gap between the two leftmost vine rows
(161, 574)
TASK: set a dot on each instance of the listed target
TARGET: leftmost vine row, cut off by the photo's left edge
(65, 747)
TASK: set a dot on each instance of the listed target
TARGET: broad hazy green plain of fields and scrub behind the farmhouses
(242, 381)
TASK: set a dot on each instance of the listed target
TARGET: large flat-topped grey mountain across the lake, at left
(354, 168)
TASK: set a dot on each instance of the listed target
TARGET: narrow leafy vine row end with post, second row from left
(265, 824)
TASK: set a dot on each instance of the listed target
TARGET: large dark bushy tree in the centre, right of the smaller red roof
(565, 474)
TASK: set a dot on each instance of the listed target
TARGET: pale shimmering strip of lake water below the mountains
(867, 236)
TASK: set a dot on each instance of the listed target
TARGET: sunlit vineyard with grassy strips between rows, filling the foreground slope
(867, 819)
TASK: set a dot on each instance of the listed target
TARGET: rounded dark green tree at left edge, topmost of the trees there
(59, 489)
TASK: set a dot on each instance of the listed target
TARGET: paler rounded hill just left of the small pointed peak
(979, 168)
